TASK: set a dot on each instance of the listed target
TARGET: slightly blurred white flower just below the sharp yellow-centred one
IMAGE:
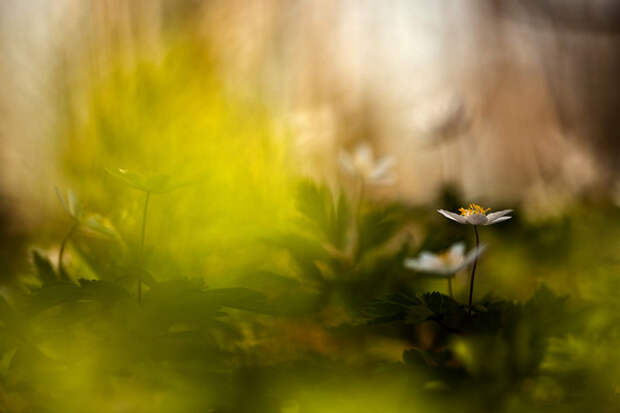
(446, 263)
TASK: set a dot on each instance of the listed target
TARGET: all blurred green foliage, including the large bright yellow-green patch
(266, 292)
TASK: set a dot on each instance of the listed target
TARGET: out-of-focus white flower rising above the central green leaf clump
(362, 163)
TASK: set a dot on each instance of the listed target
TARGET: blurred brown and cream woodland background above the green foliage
(510, 100)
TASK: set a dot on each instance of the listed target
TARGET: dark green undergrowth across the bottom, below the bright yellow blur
(333, 323)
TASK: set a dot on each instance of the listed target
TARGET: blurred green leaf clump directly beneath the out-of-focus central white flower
(344, 254)
